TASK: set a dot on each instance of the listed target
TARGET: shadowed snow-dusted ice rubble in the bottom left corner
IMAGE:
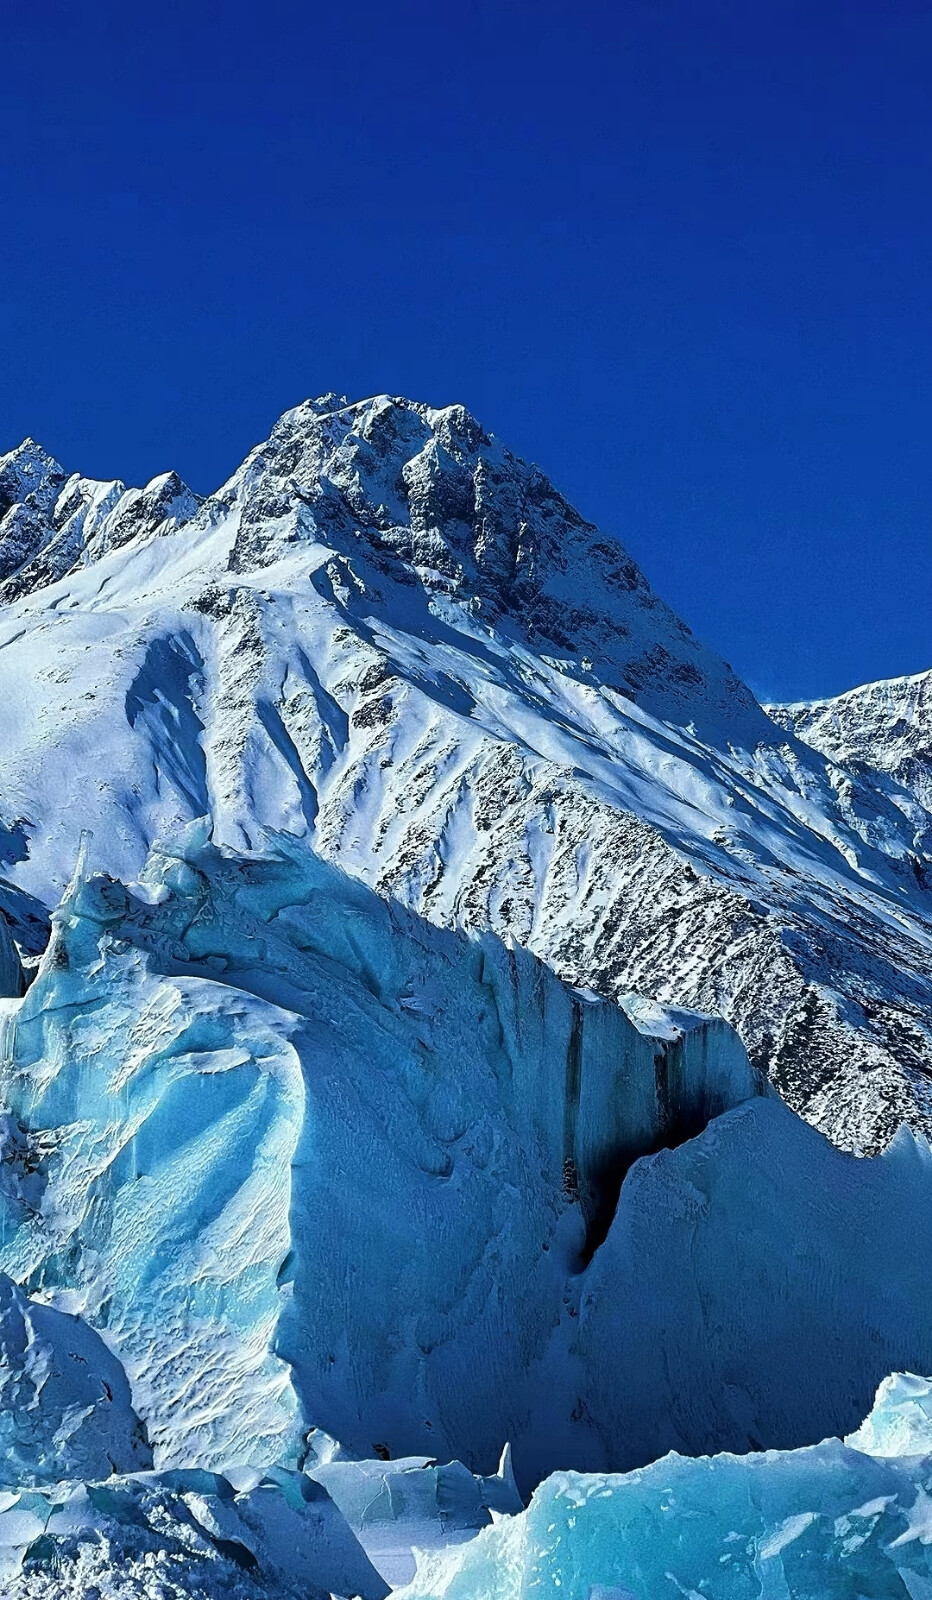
(82, 1516)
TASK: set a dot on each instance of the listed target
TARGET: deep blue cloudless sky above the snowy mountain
(678, 252)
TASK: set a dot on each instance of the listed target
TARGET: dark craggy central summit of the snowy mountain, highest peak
(425, 497)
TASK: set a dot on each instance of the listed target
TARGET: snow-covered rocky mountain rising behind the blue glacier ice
(388, 636)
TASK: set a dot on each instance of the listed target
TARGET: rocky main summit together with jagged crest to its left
(409, 495)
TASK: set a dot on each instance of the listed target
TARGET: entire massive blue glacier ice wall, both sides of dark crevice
(310, 1162)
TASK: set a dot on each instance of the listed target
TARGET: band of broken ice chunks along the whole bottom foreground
(838, 1519)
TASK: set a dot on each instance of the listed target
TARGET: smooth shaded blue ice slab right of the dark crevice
(776, 1279)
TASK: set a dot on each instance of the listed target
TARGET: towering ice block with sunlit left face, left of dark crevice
(307, 1161)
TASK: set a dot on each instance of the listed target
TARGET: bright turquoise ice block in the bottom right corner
(816, 1524)
